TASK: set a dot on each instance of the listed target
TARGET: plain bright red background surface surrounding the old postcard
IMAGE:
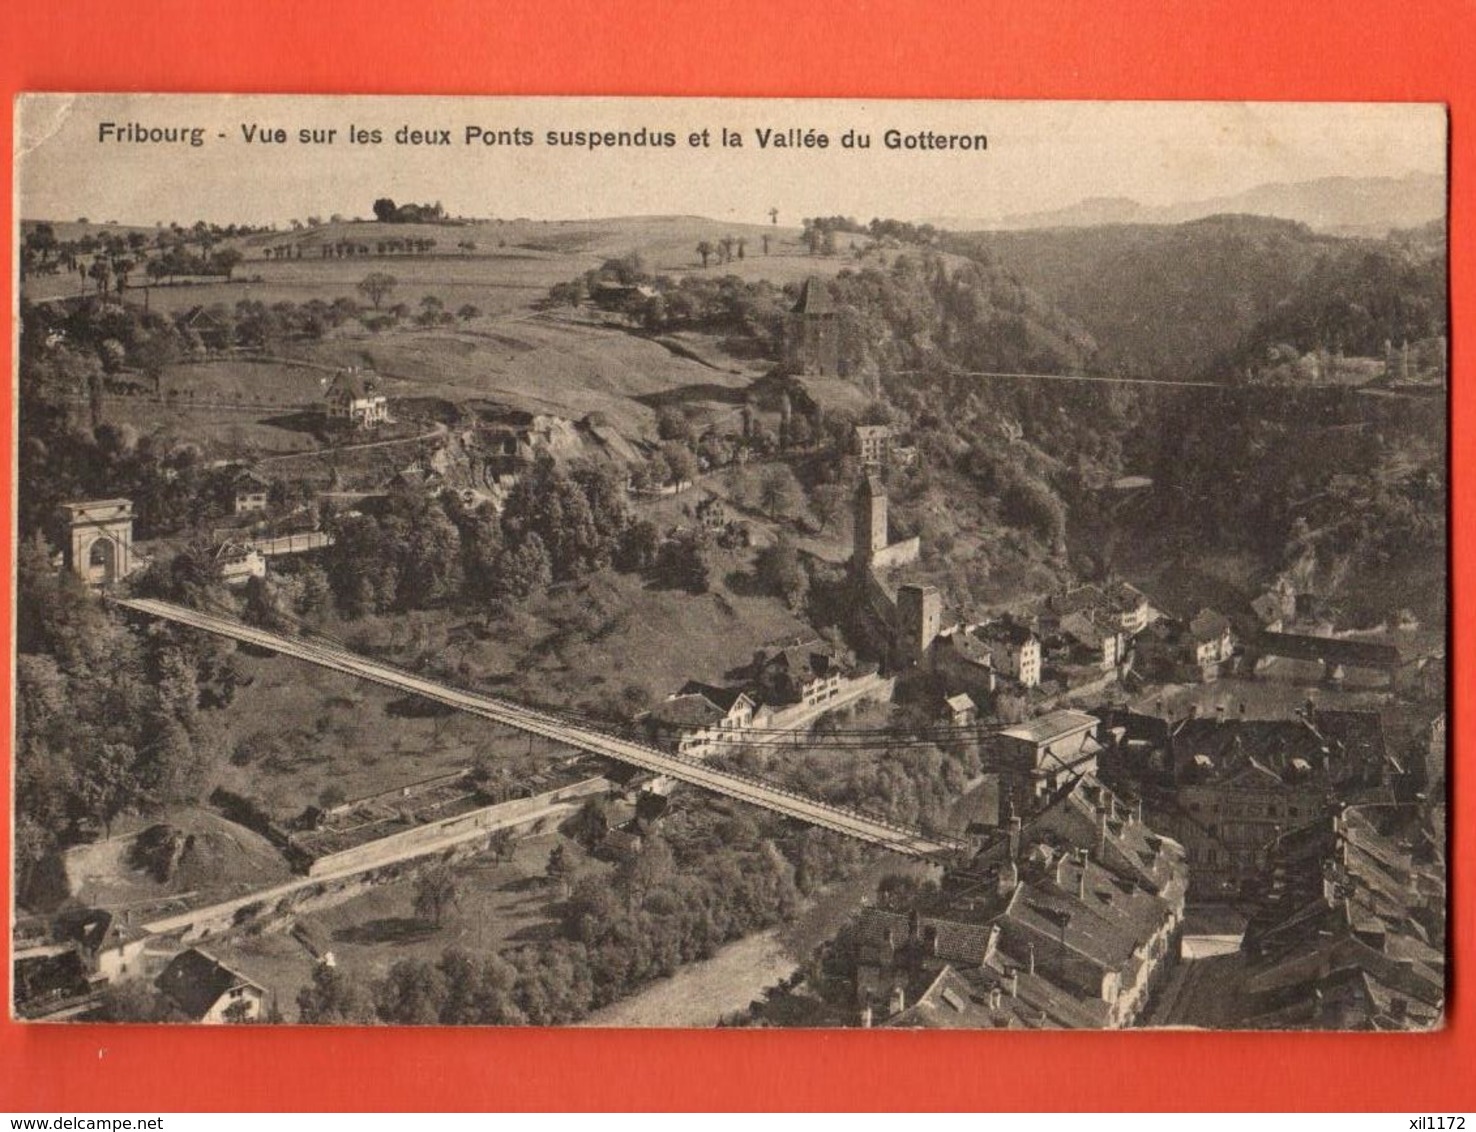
(1210, 49)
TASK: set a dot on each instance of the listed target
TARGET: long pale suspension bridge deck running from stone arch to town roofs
(581, 736)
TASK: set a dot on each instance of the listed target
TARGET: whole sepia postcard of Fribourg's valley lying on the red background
(730, 563)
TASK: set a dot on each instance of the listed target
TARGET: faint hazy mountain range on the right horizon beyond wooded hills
(1338, 206)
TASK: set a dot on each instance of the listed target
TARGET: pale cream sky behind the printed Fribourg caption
(1040, 156)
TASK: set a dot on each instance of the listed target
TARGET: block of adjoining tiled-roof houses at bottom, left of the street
(1066, 922)
